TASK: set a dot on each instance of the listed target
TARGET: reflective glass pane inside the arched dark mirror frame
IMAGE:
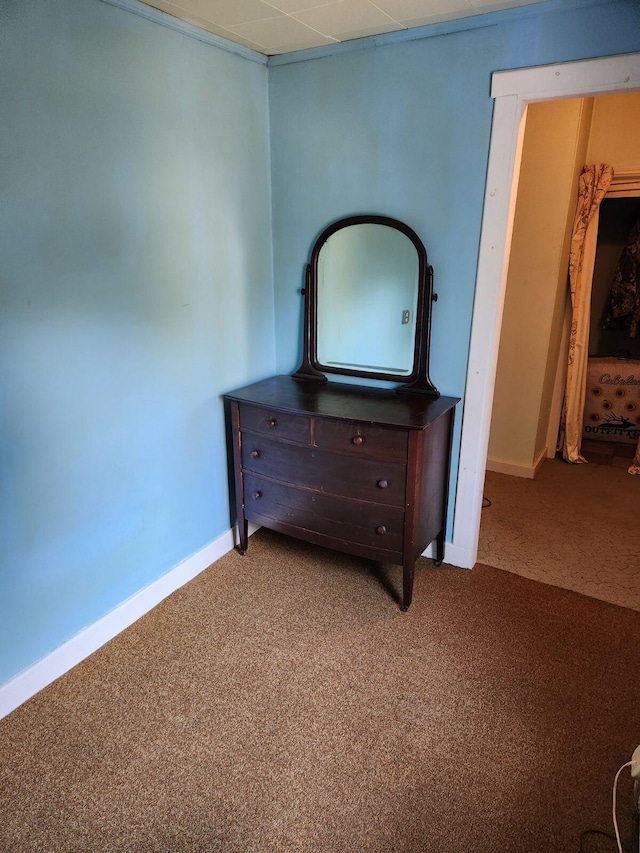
(367, 300)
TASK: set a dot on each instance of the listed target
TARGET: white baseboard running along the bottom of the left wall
(29, 682)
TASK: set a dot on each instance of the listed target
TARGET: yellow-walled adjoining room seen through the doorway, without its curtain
(533, 498)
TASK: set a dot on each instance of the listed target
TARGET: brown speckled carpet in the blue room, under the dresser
(281, 702)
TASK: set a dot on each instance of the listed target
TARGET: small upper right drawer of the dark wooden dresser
(361, 439)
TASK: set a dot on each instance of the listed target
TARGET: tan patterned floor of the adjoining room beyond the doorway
(574, 526)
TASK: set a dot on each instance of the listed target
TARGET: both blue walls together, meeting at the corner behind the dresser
(135, 274)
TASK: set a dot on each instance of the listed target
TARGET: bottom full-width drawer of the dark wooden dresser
(373, 525)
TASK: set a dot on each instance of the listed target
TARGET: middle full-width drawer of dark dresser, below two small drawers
(372, 480)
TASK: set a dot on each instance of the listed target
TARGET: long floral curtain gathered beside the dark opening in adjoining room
(593, 185)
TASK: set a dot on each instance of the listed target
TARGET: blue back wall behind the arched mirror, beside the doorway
(403, 129)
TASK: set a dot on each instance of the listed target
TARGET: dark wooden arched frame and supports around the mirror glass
(416, 382)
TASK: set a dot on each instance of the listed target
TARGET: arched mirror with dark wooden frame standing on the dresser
(368, 297)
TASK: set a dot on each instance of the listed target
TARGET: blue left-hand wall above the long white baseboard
(135, 288)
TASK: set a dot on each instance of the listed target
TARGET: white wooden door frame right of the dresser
(512, 91)
